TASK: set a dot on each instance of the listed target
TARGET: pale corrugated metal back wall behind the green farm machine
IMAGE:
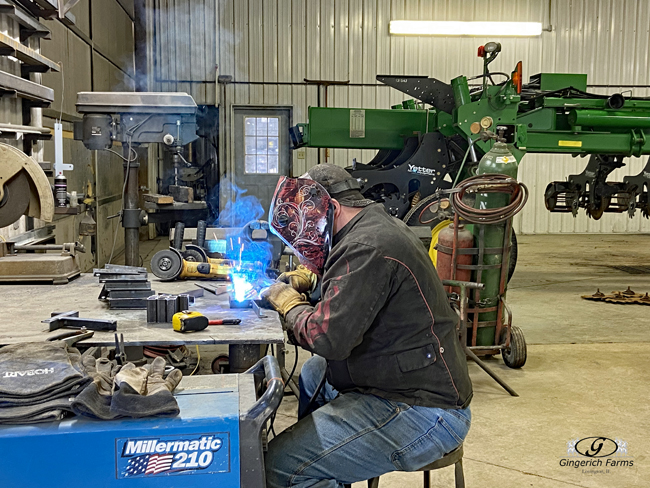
(288, 40)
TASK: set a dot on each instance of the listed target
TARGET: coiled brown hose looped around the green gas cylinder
(489, 183)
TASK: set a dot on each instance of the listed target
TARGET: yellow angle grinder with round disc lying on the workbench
(169, 265)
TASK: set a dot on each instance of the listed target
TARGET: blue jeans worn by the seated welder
(355, 437)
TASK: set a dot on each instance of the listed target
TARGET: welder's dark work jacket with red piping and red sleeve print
(384, 322)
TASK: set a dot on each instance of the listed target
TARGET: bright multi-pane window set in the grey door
(261, 145)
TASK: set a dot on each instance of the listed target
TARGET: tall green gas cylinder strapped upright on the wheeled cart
(499, 160)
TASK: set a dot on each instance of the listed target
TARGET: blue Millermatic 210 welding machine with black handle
(215, 441)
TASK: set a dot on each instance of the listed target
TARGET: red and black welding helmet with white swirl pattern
(302, 215)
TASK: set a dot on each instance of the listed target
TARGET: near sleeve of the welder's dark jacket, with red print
(355, 287)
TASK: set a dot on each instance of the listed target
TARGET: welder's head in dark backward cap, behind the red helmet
(344, 190)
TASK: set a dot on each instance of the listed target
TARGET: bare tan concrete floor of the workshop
(587, 372)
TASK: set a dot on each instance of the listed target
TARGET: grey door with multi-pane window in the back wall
(262, 152)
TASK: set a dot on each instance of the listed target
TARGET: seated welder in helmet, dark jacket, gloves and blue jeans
(396, 392)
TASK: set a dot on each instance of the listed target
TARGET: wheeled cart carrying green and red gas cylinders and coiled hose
(475, 250)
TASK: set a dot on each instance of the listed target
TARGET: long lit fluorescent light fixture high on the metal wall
(475, 29)
